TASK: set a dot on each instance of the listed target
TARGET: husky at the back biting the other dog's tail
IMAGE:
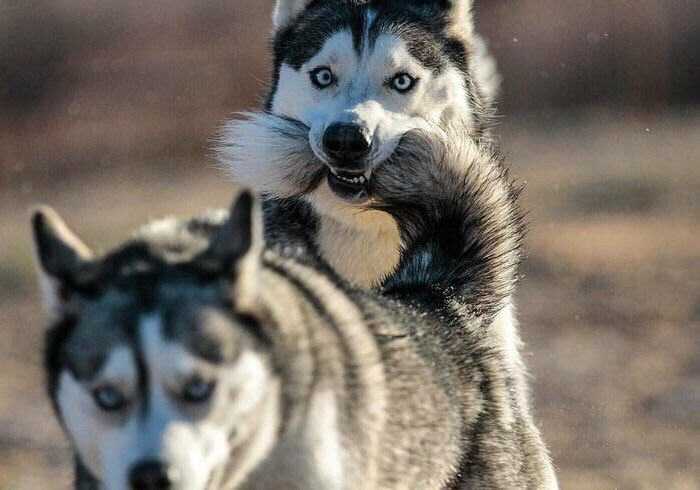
(352, 78)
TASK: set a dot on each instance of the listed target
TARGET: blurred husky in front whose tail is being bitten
(192, 357)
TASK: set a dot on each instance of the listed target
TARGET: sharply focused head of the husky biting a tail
(359, 76)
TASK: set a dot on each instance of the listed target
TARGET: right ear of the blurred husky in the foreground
(237, 245)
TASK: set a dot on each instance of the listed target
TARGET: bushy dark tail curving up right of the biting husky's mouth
(459, 218)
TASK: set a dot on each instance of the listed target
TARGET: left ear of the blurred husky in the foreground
(61, 256)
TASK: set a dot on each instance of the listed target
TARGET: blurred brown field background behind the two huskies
(108, 110)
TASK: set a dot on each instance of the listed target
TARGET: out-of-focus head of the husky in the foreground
(157, 370)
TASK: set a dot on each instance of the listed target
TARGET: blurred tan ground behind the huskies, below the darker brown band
(609, 304)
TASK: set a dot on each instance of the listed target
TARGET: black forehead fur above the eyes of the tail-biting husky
(366, 23)
